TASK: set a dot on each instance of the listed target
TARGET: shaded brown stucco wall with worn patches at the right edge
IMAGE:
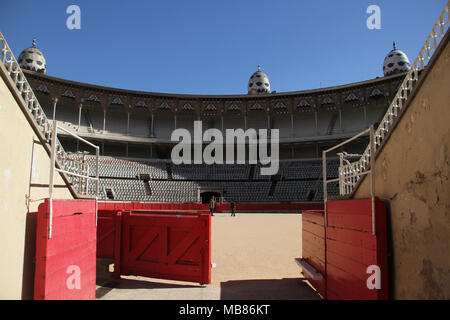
(412, 173)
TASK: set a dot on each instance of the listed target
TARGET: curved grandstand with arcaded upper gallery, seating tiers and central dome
(133, 130)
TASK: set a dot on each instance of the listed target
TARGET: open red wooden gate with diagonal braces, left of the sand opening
(157, 244)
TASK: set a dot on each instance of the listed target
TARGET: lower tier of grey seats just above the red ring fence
(299, 181)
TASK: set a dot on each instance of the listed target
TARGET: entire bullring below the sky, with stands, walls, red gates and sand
(358, 207)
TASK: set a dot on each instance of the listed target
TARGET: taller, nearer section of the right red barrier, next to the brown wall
(352, 248)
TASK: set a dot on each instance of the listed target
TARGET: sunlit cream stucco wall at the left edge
(21, 159)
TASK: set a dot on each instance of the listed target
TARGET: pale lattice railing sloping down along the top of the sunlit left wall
(66, 161)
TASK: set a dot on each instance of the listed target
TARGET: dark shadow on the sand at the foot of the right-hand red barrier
(268, 289)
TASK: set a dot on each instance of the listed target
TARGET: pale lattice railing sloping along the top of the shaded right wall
(349, 173)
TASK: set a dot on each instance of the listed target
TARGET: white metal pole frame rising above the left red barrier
(75, 166)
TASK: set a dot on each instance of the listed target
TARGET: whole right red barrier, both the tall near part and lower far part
(346, 248)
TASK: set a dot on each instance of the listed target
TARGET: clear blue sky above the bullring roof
(213, 47)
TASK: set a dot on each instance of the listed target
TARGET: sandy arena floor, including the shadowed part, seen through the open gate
(254, 260)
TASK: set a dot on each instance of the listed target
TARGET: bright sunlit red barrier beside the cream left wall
(65, 264)
